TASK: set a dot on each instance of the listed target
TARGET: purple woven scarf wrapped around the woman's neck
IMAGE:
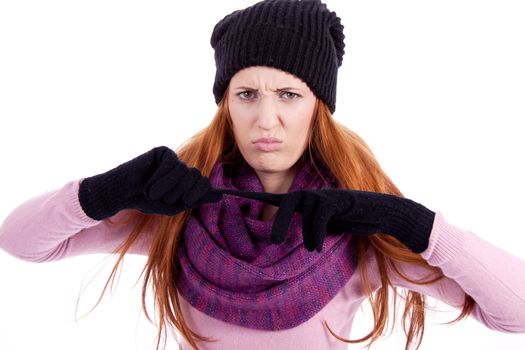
(231, 271)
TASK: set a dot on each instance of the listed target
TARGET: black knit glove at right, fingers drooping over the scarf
(331, 211)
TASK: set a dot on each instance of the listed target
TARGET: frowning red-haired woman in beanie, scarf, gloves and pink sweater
(241, 272)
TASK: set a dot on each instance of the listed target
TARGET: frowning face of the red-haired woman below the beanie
(271, 112)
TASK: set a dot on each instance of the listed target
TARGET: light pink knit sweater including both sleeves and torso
(53, 226)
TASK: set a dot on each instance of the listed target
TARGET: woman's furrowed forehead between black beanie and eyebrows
(262, 75)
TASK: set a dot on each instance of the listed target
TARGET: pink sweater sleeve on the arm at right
(492, 277)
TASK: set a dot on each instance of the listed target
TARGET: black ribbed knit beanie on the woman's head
(302, 37)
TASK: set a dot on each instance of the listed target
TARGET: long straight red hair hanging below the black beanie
(333, 144)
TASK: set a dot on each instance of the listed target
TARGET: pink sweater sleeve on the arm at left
(53, 226)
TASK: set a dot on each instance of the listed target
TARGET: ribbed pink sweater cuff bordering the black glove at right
(446, 241)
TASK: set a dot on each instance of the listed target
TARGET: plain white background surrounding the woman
(436, 88)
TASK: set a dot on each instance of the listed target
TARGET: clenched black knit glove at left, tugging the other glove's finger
(156, 182)
